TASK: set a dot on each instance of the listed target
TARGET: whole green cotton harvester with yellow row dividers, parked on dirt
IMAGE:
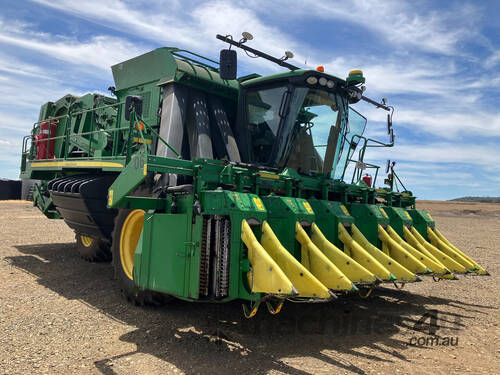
(206, 187)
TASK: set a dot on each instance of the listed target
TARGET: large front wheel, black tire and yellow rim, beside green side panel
(126, 233)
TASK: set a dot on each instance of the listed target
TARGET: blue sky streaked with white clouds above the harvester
(438, 63)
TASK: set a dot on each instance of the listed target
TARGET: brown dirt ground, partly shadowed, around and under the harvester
(62, 315)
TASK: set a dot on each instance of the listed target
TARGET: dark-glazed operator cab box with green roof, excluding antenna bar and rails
(276, 115)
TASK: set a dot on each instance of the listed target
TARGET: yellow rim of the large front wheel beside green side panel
(129, 237)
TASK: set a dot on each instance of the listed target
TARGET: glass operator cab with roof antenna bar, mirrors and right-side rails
(276, 114)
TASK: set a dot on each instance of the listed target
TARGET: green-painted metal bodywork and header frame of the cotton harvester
(170, 254)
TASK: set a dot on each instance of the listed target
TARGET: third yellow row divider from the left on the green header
(319, 265)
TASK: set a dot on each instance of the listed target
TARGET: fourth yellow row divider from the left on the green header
(352, 269)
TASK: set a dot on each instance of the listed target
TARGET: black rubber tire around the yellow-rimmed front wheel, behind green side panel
(127, 285)
